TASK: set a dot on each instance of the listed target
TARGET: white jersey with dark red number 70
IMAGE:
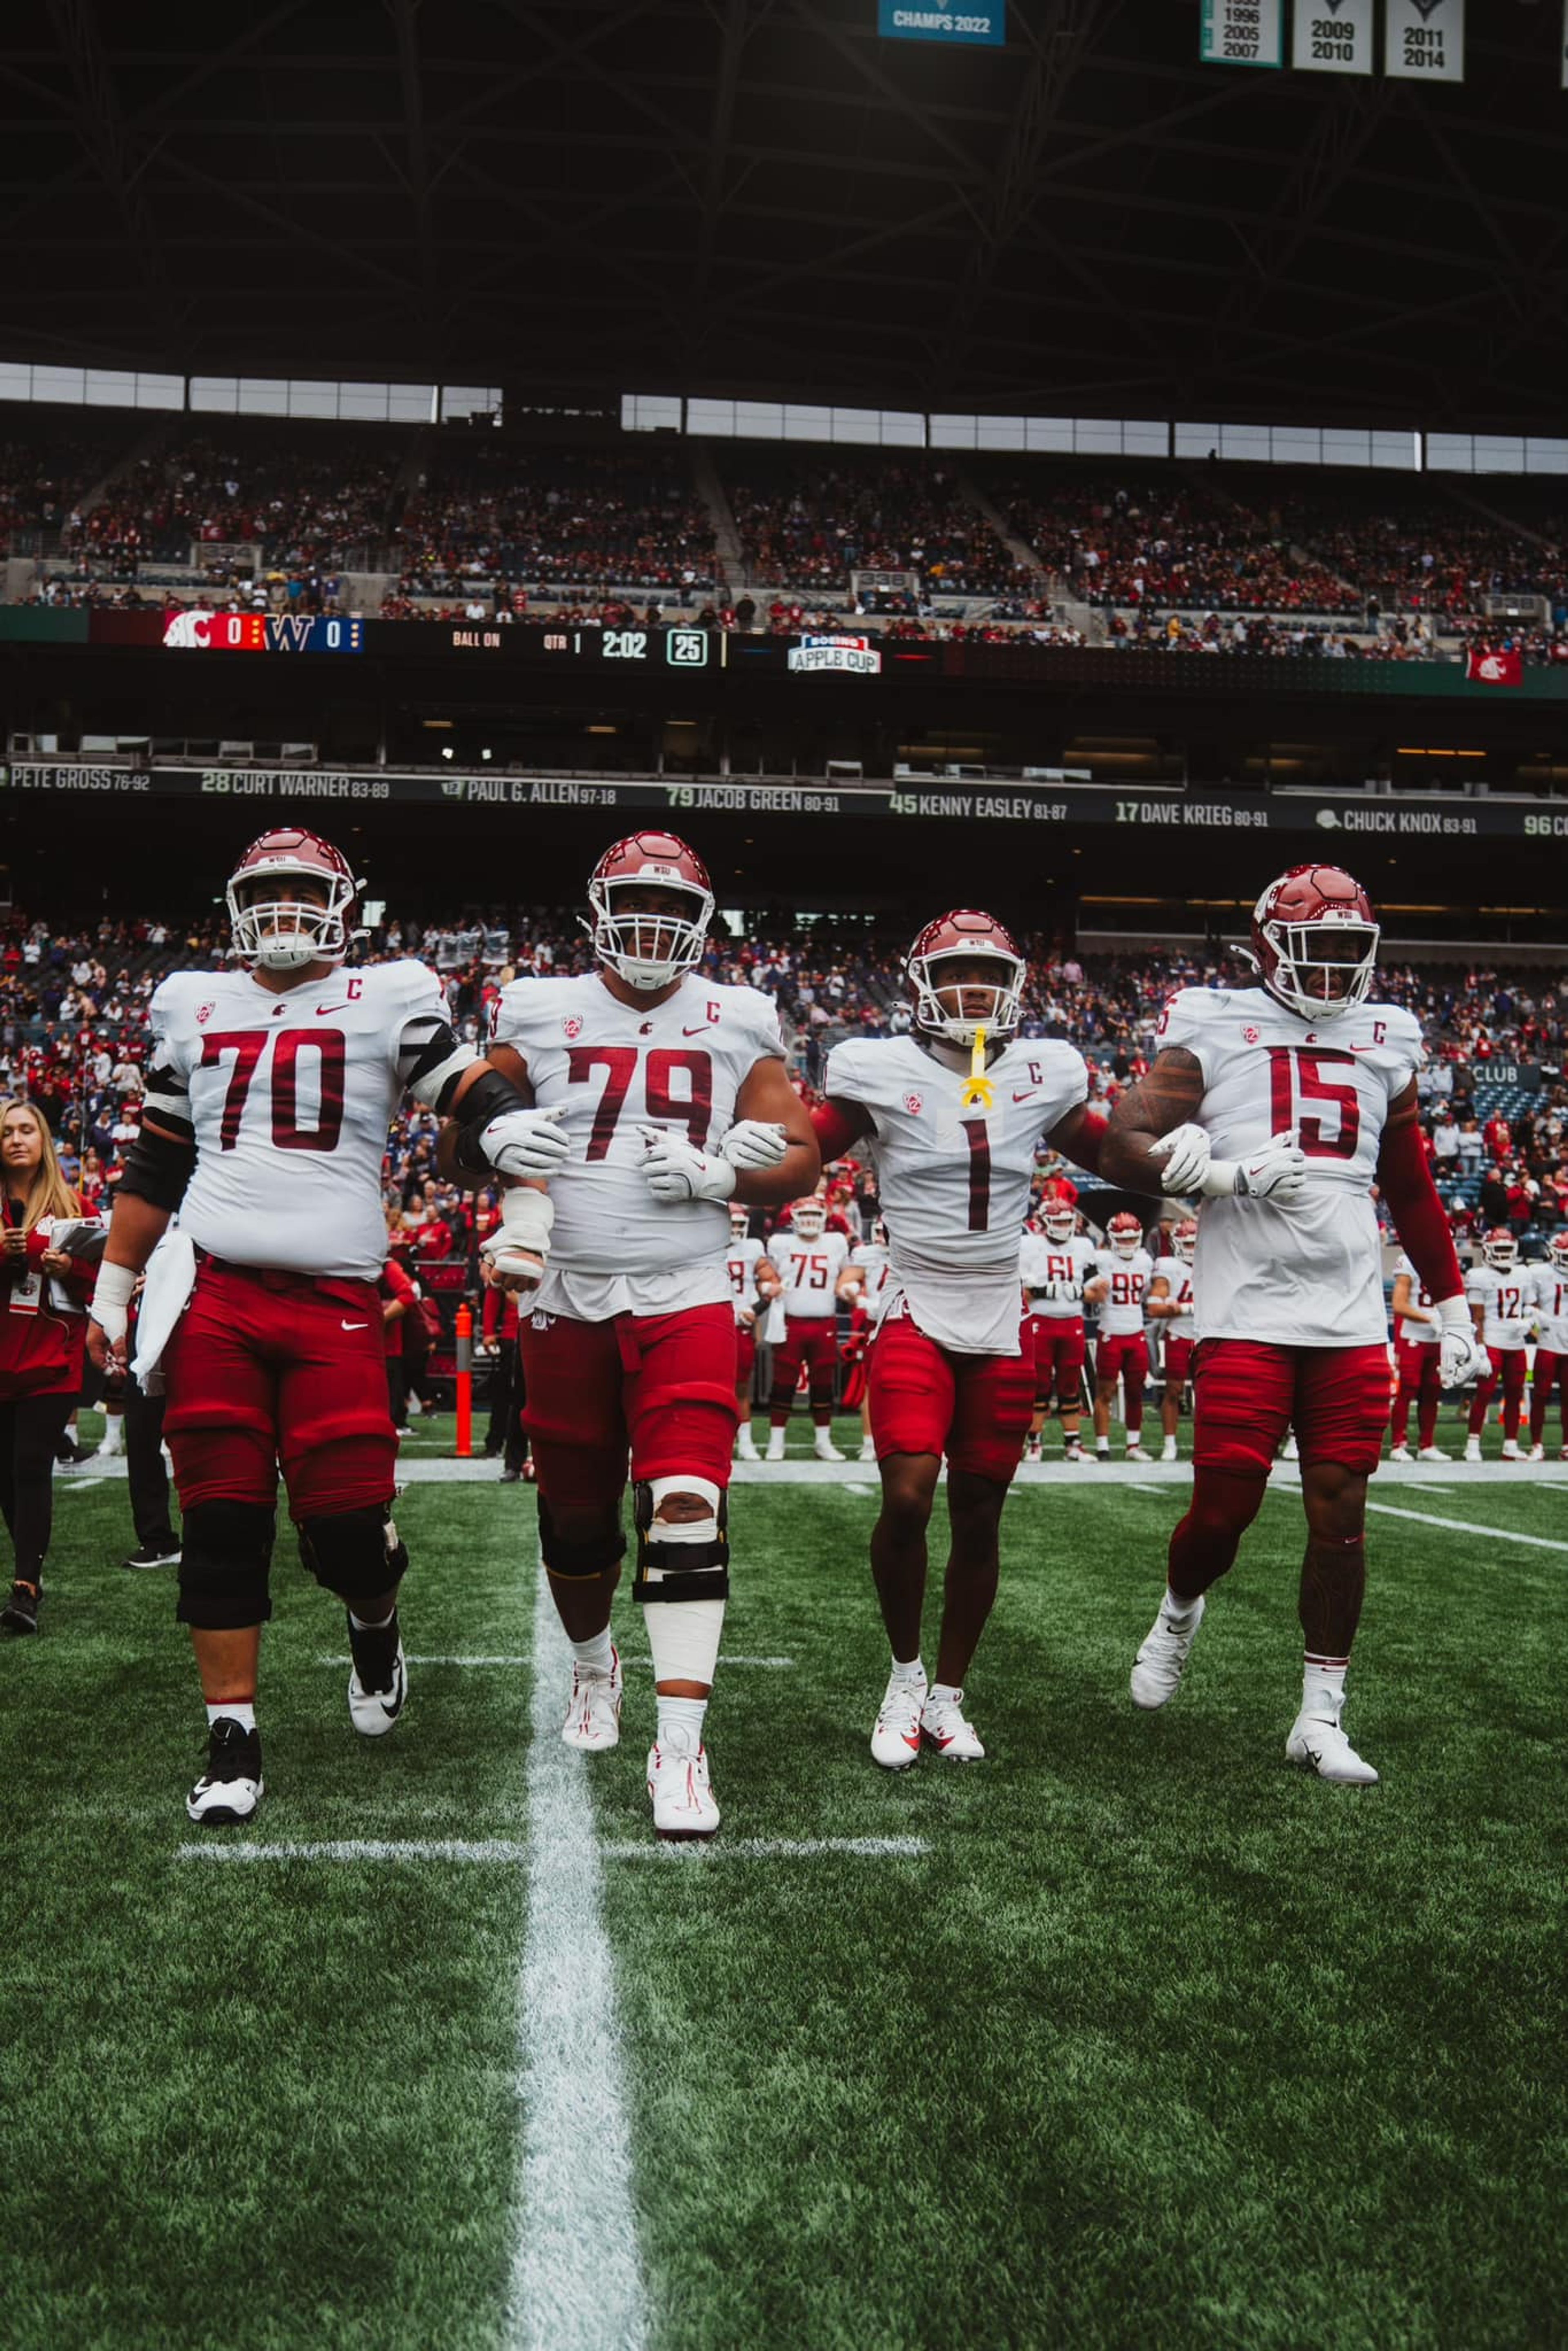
(290, 1099)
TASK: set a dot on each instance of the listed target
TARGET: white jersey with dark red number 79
(617, 1069)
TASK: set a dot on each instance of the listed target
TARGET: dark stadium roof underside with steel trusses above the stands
(763, 199)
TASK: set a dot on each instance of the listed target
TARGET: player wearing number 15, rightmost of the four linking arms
(1308, 1090)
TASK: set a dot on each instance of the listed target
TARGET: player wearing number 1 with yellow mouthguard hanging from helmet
(951, 1118)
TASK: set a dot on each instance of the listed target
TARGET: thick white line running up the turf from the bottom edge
(577, 2268)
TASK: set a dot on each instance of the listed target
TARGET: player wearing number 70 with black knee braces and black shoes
(267, 1111)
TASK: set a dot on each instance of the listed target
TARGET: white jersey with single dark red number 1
(953, 1181)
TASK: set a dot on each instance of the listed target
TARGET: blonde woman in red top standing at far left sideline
(43, 1329)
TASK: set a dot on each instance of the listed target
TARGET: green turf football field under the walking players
(1132, 2035)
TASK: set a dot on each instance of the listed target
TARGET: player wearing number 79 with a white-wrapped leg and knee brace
(676, 1104)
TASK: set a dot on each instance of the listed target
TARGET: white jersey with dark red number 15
(1308, 1275)
